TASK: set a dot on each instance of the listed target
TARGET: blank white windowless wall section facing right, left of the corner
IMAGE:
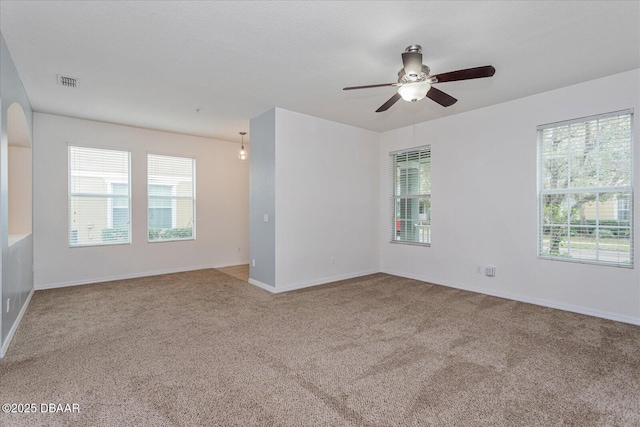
(327, 191)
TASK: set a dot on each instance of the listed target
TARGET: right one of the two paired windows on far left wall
(171, 198)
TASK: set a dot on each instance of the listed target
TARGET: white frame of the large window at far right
(588, 190)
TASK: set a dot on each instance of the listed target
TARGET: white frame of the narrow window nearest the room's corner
(424, 233)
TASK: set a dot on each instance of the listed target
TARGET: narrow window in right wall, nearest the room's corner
(411, 198)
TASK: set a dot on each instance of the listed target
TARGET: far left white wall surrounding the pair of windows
(222, 193)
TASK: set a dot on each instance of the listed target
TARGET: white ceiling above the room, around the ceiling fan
(153, 64)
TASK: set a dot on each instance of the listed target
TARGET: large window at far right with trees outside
(585, 189)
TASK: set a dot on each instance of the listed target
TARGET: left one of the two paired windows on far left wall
(99, 197)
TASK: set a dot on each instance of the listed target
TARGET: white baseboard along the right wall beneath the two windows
(529, 300)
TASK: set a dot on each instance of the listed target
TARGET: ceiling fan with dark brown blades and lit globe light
(414, 81)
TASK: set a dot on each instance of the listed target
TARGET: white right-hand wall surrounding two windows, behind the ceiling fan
(484, 203)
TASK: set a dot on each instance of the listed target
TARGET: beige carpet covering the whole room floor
(204, 349)
